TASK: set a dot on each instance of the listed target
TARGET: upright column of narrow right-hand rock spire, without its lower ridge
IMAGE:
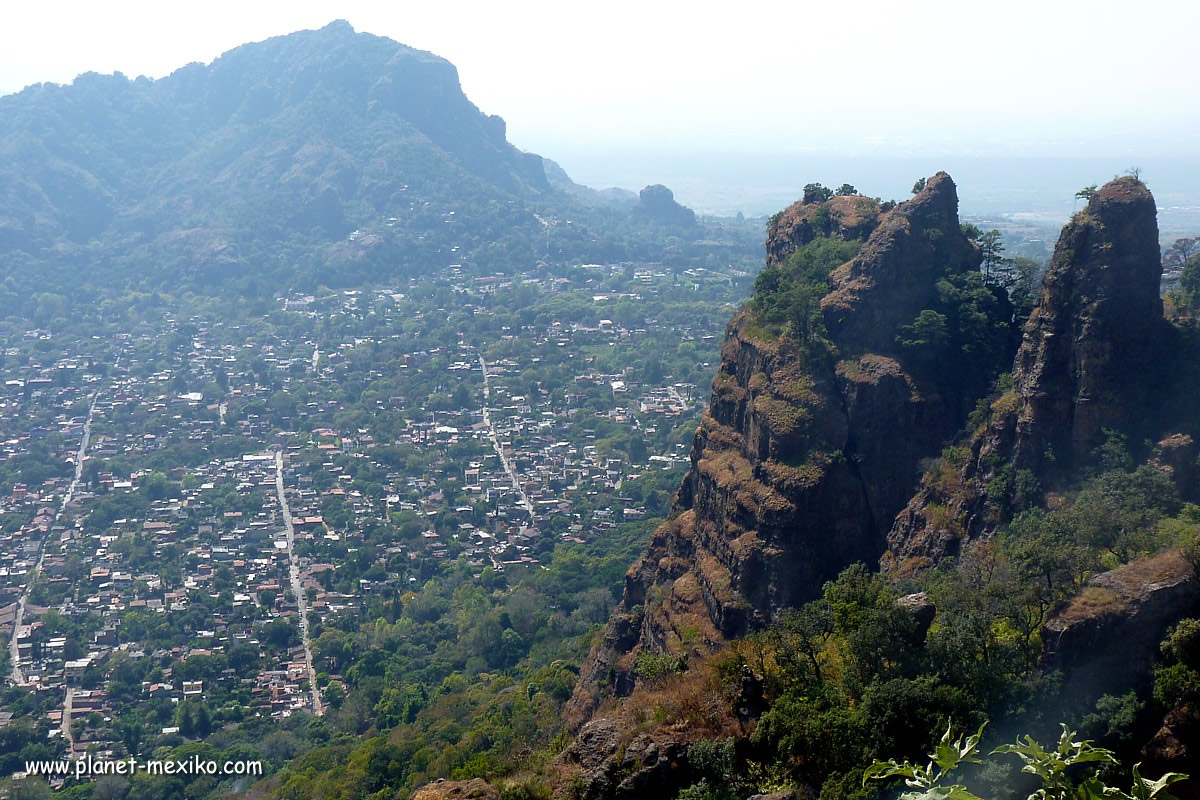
(1099, 327)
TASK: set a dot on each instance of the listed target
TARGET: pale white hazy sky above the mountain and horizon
(851, 77)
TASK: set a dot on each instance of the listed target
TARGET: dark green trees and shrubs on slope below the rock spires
(853, 677)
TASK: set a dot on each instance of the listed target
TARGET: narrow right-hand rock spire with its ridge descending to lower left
(1085, 364)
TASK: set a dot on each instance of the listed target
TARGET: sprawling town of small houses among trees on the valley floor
(188, 506)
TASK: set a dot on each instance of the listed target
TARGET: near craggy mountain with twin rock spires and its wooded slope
(1019, 490)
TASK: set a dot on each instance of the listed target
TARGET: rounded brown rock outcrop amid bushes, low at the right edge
(1133, 606)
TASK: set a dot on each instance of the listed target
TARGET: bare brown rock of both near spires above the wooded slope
(801, 468)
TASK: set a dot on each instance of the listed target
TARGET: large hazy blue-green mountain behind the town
(325, 157)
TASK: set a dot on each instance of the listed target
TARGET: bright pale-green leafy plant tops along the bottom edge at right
(1052, 767)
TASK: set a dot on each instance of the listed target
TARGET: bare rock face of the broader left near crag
(803, 459)
